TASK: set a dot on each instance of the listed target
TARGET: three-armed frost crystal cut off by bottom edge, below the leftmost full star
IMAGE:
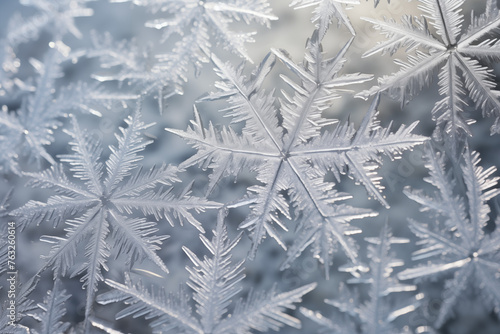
(215, 281)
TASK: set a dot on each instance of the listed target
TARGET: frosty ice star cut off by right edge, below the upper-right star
(455, 240)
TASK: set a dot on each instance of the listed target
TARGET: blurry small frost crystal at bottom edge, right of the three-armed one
(378, 314)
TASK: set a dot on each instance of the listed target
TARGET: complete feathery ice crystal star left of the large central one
(99, 212)
